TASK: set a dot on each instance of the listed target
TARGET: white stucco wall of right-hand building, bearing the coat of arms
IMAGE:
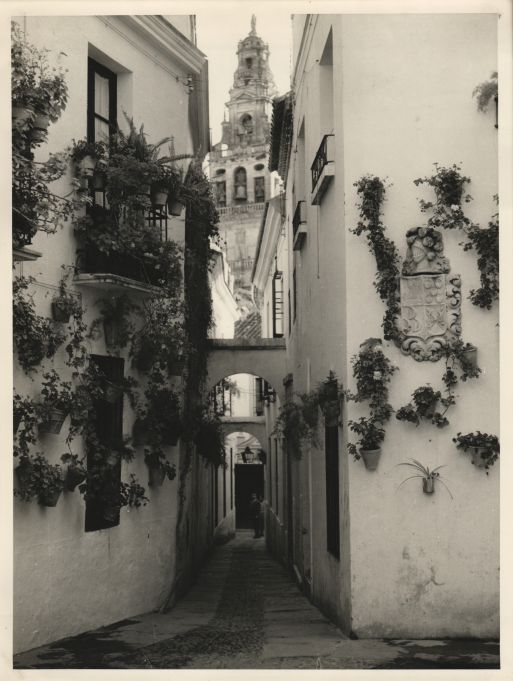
(410, 565)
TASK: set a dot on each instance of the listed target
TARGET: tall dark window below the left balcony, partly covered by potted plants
(102, 499)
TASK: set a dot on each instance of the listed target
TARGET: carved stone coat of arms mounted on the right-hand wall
(430, 298)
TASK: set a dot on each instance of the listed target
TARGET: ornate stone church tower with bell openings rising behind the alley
(238, 163)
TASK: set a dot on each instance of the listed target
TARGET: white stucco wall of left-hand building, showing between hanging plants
(66, 580)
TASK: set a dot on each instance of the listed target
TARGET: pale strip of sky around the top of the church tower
(218, 33)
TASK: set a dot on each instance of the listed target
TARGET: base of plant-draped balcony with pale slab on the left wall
(116, 273)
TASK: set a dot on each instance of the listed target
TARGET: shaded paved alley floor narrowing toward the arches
(245, 612)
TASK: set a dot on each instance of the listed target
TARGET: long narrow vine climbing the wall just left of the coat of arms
(371, 191)
